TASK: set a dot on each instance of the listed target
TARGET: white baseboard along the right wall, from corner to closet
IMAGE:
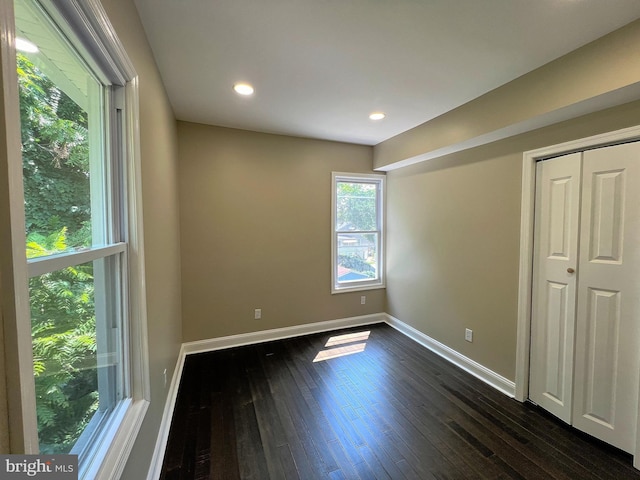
(488, 376)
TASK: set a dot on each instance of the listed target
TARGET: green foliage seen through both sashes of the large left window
(55, 154)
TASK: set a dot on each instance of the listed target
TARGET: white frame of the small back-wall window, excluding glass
(380, 182)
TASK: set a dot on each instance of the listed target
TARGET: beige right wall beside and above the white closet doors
(453, 239)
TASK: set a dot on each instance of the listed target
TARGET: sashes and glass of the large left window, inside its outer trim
(76, 216)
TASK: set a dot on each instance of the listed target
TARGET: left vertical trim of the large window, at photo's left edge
(21, 398)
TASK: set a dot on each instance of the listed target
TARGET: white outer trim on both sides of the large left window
(91, 21)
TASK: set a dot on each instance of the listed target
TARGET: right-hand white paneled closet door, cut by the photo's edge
(607, 362)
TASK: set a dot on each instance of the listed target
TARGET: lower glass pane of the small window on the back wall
(357, 257)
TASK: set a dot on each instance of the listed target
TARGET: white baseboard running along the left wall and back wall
(212, 344)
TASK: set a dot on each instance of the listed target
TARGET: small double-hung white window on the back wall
(357, 232)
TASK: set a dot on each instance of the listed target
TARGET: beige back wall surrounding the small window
(255, 219)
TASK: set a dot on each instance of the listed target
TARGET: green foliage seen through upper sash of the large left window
(55, 158)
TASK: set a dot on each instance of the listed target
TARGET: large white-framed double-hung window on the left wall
(86, 307)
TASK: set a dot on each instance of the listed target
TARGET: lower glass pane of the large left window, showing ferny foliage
(76, 353)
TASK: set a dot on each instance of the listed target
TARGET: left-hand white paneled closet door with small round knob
(554, 284)
